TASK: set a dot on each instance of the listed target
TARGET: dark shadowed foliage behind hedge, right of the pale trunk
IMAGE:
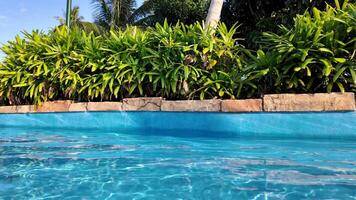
(257, 16)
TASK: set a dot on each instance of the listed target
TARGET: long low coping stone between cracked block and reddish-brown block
(192, 106)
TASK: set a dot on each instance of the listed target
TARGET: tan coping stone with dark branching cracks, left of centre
(142, 104)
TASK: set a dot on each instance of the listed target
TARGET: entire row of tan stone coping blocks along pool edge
(318, 102)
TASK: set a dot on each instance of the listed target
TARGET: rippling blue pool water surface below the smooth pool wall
(114, 165)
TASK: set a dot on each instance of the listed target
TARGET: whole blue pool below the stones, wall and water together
(178, 156)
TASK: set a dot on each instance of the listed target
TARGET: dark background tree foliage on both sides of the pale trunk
(255, 16)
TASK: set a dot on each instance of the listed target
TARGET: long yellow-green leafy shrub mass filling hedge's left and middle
(179, 62)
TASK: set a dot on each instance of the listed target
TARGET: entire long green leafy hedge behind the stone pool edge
(181, 61)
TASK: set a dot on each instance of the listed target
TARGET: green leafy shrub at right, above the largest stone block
(316, 55)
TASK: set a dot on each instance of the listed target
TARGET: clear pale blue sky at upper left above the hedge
(18, 15)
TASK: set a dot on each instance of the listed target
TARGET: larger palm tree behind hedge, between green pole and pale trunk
(113, 13)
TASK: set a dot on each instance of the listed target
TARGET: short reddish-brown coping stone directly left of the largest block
(248, 105)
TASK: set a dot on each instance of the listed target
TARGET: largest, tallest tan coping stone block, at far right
(309, 102)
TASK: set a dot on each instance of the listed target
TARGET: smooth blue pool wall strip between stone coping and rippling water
(338, 125)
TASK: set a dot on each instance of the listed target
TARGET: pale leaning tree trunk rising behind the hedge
(214, 13)
